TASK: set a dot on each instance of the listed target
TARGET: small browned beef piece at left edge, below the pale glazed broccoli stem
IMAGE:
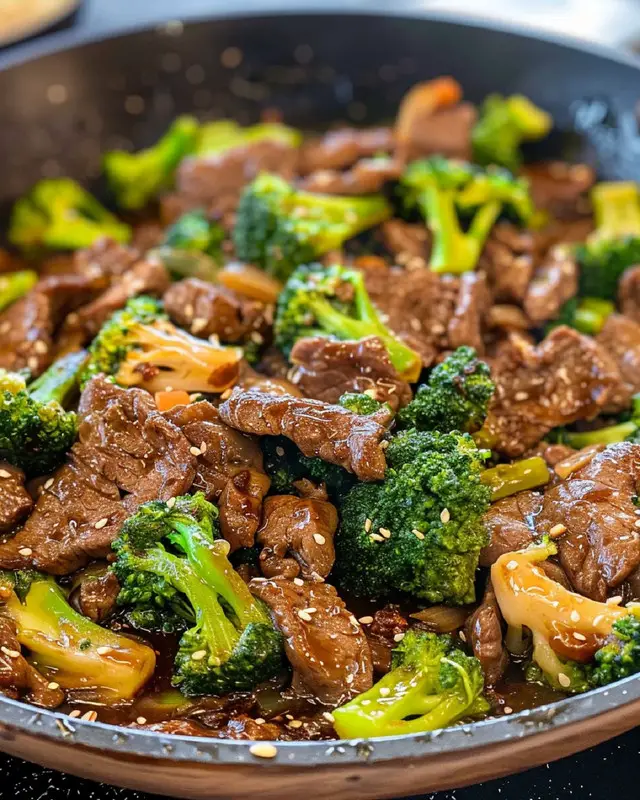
(17, 677)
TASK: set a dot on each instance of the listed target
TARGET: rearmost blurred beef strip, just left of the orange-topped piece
(340, 149)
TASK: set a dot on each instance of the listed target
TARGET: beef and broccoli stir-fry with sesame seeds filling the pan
(307, 437)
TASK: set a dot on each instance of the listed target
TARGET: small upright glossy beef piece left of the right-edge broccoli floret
(554, 282)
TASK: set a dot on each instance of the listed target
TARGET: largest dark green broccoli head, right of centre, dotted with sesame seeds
(418, 532)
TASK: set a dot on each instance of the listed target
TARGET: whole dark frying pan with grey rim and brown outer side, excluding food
(61, 106)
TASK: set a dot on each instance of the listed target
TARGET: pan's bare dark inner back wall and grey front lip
(58, 113)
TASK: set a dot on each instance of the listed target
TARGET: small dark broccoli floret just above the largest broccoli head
(455, 398)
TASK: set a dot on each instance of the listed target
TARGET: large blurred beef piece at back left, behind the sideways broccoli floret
(216, 182)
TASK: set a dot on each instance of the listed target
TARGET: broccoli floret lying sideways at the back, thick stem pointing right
(279, 227)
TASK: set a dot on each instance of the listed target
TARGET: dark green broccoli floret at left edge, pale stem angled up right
(35, 430)
